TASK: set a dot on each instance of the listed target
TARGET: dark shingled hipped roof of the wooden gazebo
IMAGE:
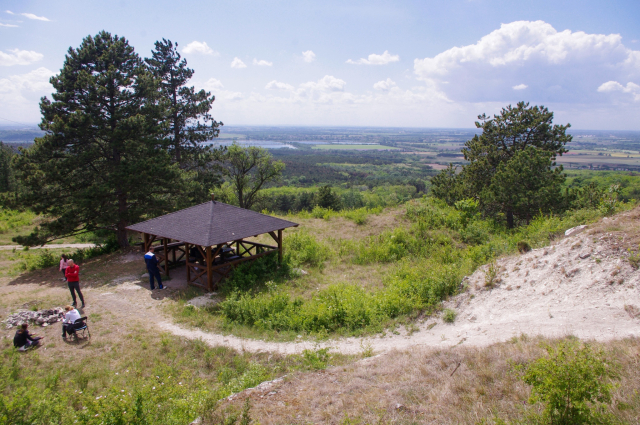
(211, 223)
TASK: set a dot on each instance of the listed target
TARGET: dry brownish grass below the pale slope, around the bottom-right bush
(459, 385)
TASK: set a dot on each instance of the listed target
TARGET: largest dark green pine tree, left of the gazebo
(102, 163)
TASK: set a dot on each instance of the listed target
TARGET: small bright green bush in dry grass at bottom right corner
(573, 381)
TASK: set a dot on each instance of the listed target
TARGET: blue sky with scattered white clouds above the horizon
(353, 63)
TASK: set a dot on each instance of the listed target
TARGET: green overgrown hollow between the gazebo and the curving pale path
(419, 263)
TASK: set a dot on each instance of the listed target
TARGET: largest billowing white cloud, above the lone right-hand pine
(559, 66)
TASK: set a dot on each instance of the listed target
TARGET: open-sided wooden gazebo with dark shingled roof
(210, 239)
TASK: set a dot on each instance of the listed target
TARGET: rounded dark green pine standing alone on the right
(511, 170)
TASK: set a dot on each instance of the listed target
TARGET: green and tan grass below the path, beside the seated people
(132, 375)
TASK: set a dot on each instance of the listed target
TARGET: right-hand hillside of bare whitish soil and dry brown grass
(586, 285)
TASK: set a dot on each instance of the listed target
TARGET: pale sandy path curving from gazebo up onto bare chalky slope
(583, 285)
